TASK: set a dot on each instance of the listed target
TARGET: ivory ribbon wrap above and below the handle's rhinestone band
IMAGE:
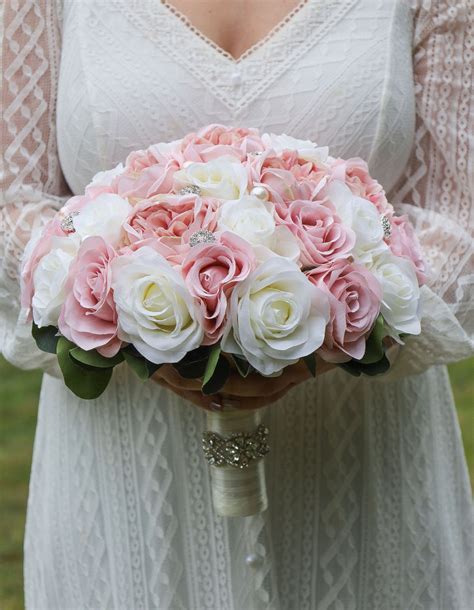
(237, 492)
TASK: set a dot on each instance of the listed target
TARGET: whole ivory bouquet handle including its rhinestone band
(234, 445)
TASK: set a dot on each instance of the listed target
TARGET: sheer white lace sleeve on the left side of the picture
(32, 185)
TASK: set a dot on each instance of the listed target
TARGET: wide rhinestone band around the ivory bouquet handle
(238, 450)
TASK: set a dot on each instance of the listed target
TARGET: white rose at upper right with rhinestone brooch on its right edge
(363, 218)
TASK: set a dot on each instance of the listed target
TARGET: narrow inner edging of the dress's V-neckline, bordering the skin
(272, 33)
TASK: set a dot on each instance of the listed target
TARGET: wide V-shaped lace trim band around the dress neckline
(235, 83)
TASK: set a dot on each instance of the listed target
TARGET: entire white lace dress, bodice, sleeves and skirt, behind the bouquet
(370, 504)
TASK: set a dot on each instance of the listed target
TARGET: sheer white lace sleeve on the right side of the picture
(439, 182)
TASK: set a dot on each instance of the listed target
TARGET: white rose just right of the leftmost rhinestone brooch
(103, 216)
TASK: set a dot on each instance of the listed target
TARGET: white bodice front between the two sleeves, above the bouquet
(133, 72)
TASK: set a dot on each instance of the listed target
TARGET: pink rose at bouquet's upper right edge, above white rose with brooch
(355, 173)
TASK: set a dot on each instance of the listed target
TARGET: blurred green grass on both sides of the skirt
(18, 401)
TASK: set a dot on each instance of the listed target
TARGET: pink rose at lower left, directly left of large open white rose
(88, 317)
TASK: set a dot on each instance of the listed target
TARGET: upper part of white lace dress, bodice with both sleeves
(115, 95)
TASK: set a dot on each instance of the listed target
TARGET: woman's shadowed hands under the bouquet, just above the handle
(252, 392)
